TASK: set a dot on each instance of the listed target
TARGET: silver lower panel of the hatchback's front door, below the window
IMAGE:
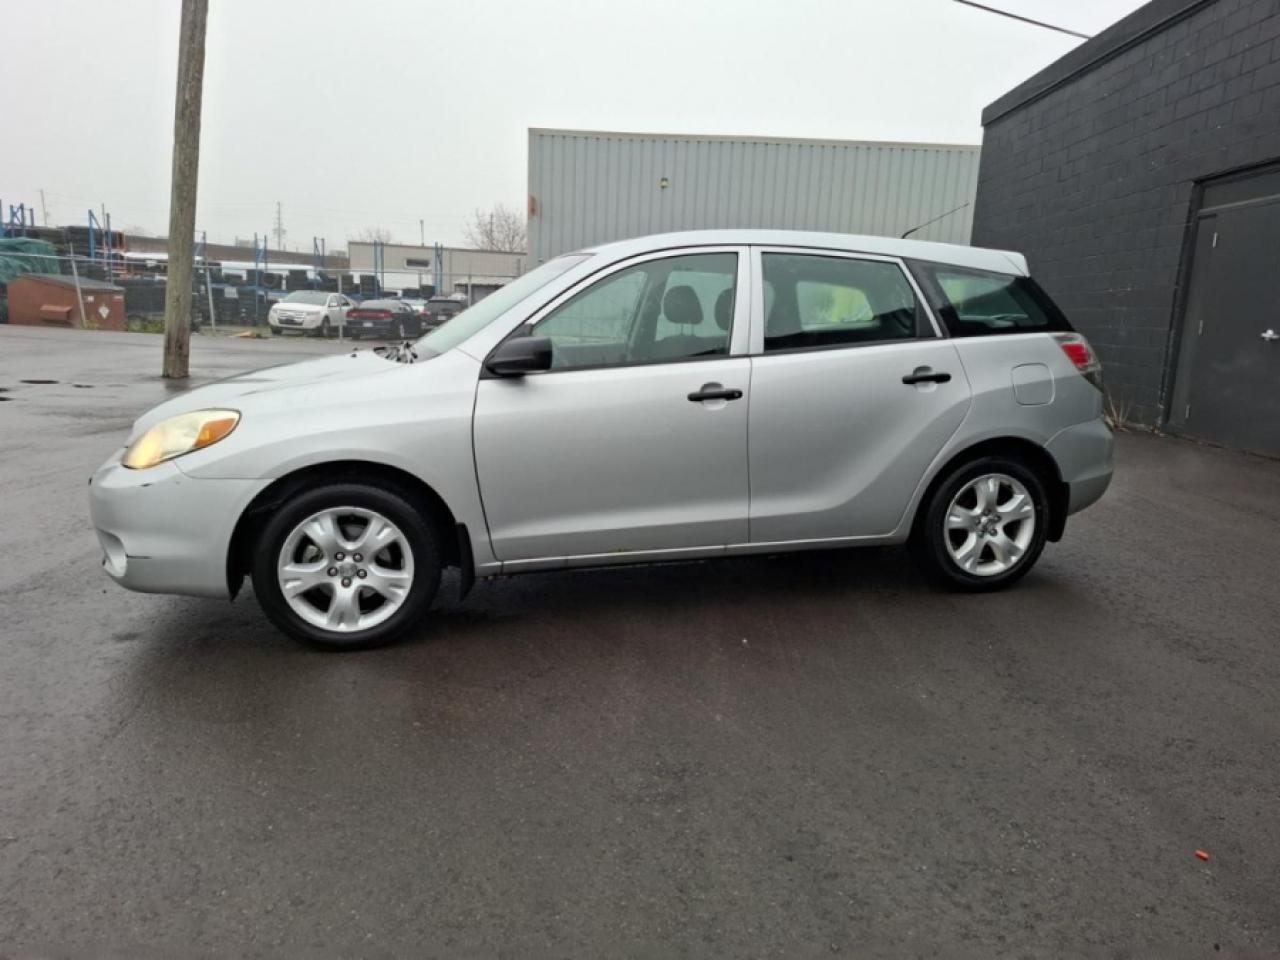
(614, 461)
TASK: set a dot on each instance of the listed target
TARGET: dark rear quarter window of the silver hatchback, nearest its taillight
(984, 304)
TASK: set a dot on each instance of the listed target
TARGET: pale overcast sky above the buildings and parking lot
(381, 113)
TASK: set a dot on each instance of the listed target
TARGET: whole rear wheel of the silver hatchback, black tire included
(975, 533)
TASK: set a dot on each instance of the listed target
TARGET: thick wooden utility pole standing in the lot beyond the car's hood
(182, 194)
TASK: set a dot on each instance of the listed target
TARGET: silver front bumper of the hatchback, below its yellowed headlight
(163, 532)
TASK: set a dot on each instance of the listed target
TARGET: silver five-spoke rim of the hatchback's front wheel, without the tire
(346, 569)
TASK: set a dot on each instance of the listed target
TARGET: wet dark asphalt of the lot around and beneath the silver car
(755, 757)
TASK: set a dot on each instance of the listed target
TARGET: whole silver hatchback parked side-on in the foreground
(678, 397)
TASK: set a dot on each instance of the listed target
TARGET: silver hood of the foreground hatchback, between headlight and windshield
(276, 386)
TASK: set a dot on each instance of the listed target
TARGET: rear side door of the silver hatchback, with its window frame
(842, 433)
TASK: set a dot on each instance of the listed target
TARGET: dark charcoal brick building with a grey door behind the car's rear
(1141, 176)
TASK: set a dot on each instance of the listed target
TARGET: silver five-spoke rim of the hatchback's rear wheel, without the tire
(990, 525)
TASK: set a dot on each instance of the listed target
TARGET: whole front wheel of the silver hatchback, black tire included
(310, 584)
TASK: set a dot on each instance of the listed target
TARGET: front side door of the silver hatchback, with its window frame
(616, 456)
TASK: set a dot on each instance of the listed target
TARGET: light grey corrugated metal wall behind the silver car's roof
(593, 188)
